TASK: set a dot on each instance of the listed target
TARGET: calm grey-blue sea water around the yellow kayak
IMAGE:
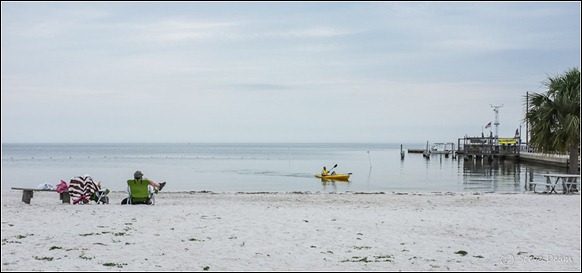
(262, 167)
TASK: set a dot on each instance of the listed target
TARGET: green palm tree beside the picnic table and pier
(554, 116)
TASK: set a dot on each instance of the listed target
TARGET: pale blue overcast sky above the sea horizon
(276, 72)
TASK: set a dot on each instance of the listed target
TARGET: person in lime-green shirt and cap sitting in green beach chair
(142, 190)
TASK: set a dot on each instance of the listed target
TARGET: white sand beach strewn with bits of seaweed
(294, 231)
